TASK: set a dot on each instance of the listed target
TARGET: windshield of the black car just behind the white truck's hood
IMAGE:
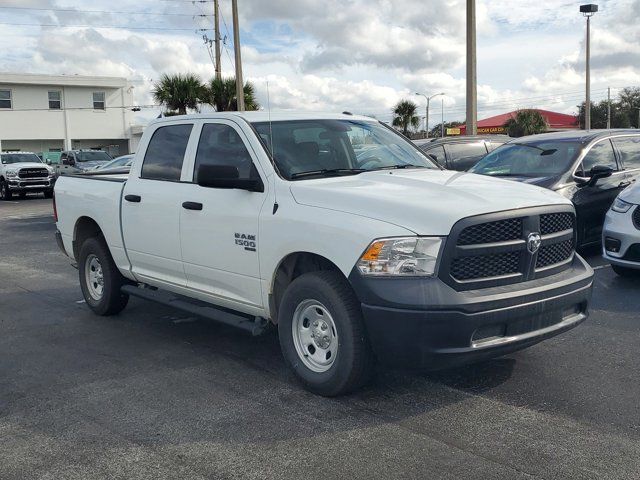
(530, 159)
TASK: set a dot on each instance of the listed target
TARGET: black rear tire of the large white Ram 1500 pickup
(112, 300)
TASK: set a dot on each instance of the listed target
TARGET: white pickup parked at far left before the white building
(22, 173)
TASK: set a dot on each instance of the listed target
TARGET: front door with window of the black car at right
(592, 202)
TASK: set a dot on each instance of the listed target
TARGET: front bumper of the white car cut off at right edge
(621, 239)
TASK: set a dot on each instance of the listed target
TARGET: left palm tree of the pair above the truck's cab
(178, 92)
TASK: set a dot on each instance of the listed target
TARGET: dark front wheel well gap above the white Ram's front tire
(290, 268)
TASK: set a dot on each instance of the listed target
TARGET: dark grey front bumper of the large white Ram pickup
(426, 324)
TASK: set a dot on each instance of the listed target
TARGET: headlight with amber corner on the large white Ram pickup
(409, 256)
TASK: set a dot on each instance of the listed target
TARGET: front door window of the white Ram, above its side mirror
(220, 144)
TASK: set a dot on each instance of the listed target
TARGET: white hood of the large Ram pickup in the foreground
(427, 202)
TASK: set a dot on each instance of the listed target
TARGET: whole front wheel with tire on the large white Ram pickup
(322, 334)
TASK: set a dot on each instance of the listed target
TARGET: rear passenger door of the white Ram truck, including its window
(151, 207)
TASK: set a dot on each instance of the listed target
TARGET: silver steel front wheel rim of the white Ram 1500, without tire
(315, 336)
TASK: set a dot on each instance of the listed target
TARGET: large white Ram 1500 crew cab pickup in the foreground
(334, 228)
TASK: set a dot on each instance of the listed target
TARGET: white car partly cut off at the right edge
(621, 234)
